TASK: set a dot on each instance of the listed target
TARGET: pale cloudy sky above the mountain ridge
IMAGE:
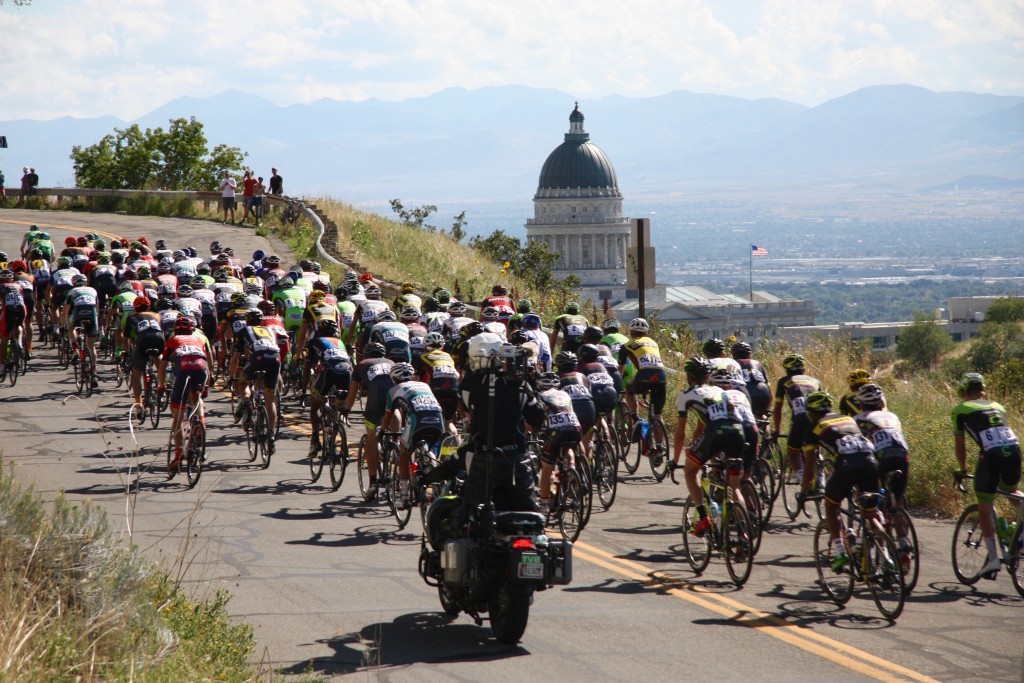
(126, 58)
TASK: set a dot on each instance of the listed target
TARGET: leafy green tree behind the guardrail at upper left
(176, 159)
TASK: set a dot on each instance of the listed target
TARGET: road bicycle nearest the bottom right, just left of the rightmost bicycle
(871, 559)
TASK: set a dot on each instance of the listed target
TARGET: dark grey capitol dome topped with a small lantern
(578, 164)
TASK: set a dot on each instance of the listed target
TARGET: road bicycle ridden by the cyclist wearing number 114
(731, 534)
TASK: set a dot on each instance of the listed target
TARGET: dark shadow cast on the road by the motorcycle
(410, 639)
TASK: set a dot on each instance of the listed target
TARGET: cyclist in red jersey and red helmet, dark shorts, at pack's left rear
(191, 358)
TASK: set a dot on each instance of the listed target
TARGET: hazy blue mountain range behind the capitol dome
(490, 144)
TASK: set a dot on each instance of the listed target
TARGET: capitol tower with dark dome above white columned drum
(578, 212)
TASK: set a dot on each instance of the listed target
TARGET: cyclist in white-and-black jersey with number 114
(719, 431)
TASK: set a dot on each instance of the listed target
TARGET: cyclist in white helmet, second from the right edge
(891, 452)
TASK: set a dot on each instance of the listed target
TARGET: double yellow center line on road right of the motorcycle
(806, 639)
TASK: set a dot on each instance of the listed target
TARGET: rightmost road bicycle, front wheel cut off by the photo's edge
(969, 552)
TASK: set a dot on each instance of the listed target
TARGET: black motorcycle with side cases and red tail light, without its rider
(492, 566)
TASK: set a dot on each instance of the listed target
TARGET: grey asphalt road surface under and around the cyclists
(331, 585)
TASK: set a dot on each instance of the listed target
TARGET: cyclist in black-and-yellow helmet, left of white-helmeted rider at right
(856, 465)
